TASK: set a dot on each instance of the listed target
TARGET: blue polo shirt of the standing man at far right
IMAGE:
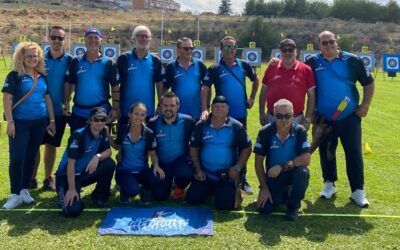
(336, 83)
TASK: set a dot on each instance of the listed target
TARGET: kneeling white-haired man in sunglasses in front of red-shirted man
(284, 144)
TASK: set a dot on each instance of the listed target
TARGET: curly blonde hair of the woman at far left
(19, 57)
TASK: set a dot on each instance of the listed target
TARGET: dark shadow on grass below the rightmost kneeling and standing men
(272, 228)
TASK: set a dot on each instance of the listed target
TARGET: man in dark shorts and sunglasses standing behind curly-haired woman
(57, 63)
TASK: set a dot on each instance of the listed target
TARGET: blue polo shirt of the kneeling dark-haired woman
(134, 154)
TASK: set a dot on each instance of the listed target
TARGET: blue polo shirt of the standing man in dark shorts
(56, 69)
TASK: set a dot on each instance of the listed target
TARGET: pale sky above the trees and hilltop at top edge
(199, 6)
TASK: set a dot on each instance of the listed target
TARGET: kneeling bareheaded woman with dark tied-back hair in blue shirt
(133, 174)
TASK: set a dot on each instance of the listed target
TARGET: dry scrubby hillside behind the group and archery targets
(31, 21)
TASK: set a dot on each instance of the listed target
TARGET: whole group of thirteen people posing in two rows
(193, 152)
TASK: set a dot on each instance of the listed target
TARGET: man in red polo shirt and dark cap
(288, 79)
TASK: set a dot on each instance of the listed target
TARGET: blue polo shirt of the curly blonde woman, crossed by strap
(32, 108)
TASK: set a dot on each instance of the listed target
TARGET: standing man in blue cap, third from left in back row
(92, 74)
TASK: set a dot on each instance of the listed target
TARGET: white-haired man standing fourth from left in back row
(139, 74)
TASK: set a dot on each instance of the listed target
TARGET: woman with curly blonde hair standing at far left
(28, 110)
